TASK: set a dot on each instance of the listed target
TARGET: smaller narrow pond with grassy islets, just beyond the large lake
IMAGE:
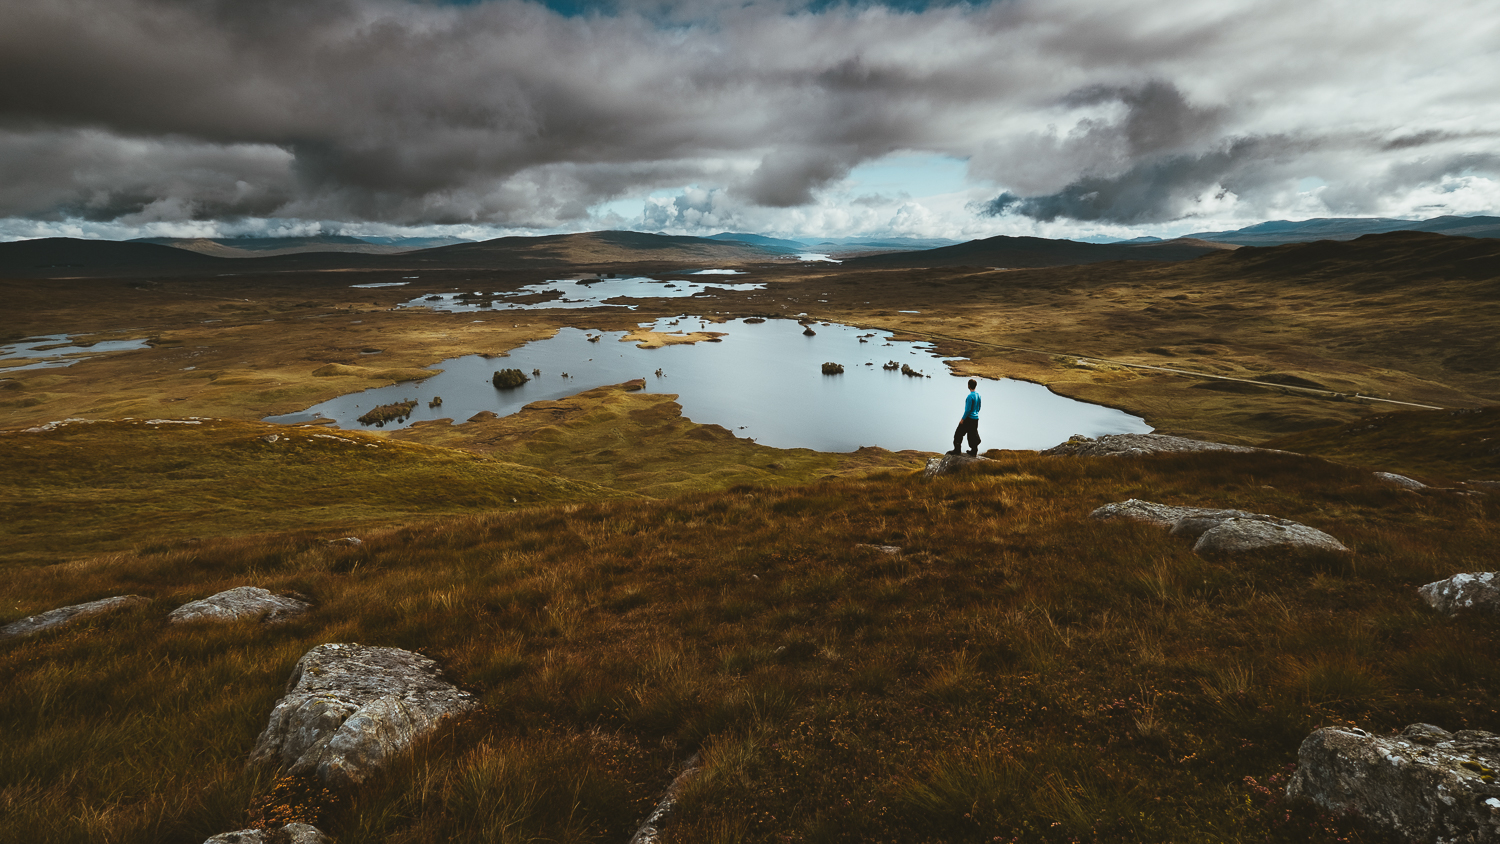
(580, 293)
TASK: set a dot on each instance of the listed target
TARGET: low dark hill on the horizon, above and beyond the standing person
(1015, 253)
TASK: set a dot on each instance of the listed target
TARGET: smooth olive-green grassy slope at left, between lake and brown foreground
(85, 488)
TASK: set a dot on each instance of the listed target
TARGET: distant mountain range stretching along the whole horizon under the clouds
(655, 253)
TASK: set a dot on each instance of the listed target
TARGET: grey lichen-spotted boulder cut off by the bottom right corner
(1423, 785)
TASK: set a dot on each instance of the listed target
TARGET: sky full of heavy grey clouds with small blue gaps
(1051, 118)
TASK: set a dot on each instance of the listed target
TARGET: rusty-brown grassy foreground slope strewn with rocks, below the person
(1018, 672)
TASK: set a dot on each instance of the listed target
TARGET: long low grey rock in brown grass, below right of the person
(1225, 531)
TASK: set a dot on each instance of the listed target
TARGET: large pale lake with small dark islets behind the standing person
(763, 382)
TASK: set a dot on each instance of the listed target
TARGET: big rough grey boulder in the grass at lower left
(350, 708)
